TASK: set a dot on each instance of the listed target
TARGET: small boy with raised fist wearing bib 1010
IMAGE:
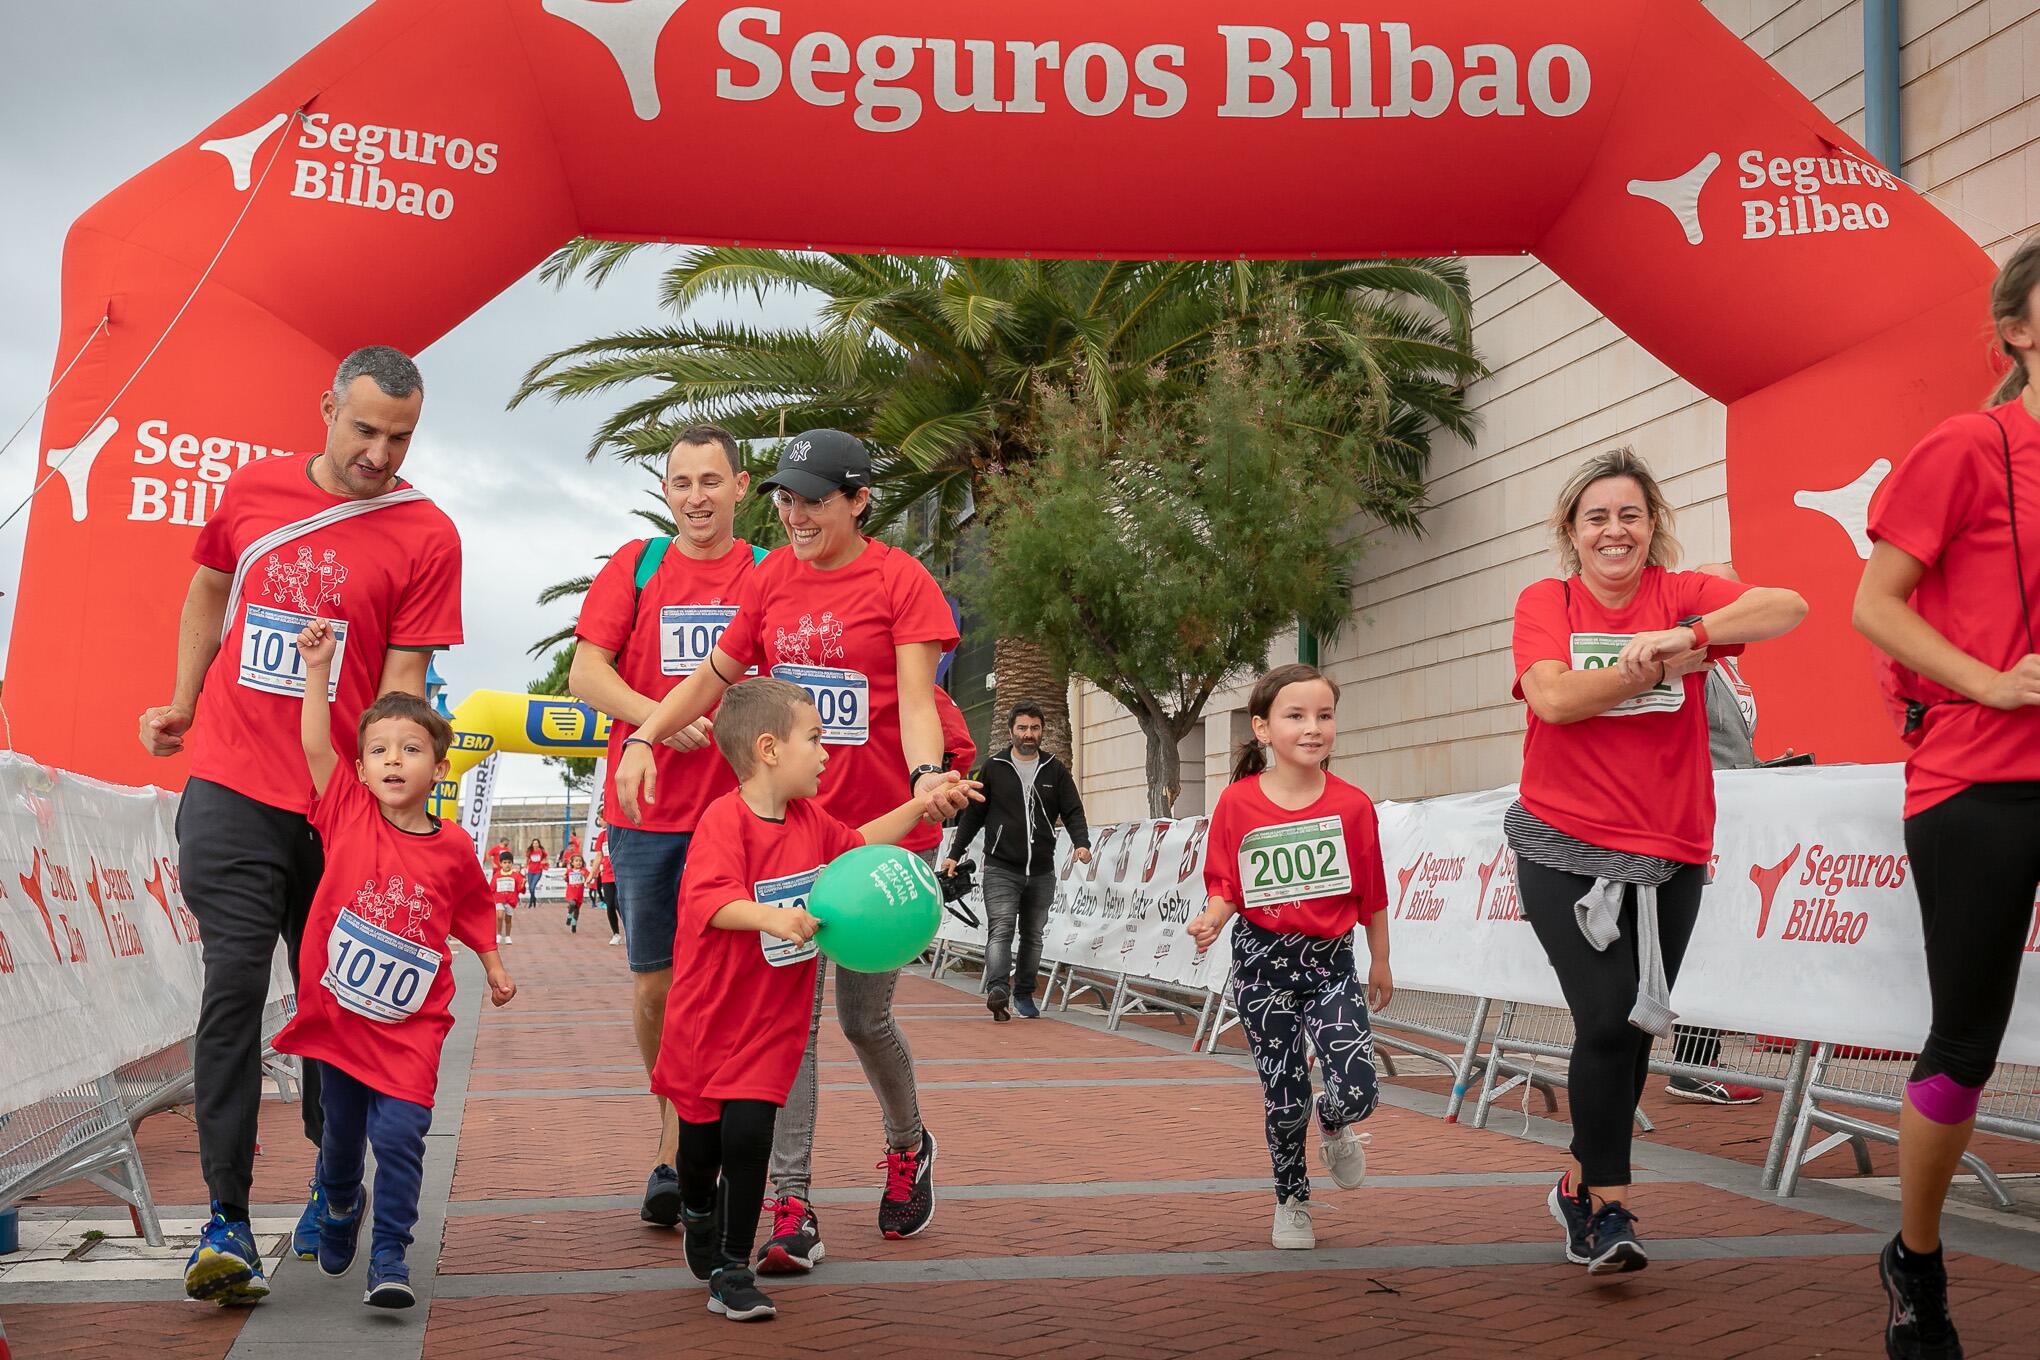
(397, 884)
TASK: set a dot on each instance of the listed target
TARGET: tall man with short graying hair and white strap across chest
(336, 537)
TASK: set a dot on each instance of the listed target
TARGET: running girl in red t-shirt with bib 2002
(1296, 853)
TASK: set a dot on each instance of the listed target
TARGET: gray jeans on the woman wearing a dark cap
(864, 1010)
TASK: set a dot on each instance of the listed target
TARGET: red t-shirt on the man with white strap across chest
(391, 578)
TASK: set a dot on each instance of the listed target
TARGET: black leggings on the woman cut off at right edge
(1978, 868)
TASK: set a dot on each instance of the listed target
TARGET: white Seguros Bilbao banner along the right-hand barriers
(1808, 929)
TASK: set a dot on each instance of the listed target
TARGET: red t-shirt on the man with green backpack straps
(660, 637)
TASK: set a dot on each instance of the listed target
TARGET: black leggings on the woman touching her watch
(1611, 1055)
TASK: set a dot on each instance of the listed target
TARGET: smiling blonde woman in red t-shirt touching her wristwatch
(1615, 821)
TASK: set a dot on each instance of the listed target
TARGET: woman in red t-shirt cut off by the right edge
(1949, 596)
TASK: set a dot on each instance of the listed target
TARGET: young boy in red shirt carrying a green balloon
(744, 965)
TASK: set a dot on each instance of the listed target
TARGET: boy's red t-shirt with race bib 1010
(376, 939)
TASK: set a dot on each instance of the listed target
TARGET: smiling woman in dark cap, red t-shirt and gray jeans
(860, 625)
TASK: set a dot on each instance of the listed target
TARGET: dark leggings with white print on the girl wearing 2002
(1292, 988)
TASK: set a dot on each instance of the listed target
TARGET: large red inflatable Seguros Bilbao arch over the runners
(436, 150)
